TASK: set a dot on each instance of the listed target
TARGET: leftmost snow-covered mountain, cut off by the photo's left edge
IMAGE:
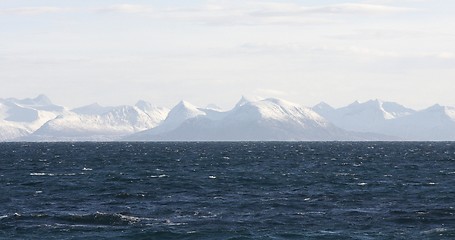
(21, 117)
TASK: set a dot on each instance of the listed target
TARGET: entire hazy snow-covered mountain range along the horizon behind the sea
(38, 119)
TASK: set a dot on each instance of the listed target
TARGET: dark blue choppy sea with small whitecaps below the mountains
(227, 190)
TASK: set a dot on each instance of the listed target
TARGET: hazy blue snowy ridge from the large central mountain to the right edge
(436, 123)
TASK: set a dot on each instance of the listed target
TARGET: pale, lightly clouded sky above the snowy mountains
(213, 52)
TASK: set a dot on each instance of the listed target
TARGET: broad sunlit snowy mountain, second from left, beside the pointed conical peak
(97, 123)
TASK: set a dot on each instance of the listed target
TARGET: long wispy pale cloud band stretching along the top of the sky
(255, 13)
